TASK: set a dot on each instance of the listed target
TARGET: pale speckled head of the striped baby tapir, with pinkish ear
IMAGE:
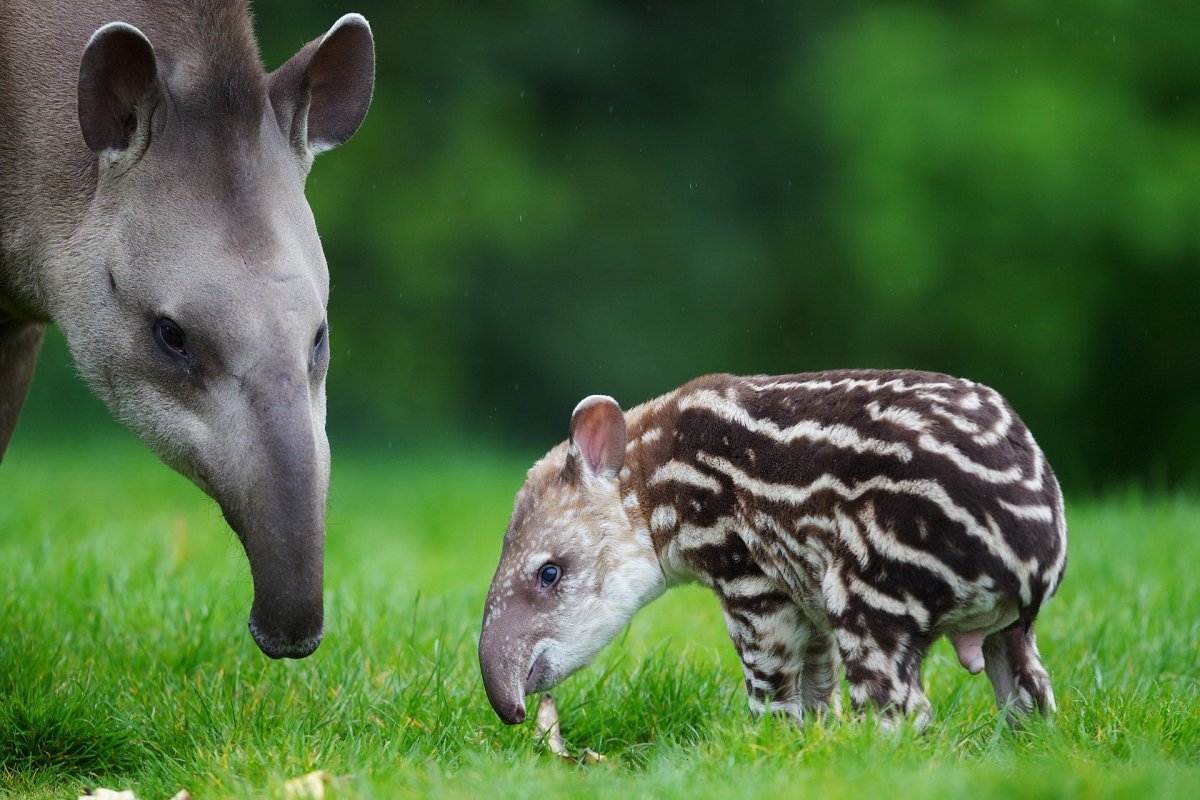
(575, 567)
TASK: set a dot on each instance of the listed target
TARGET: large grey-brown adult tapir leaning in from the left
(152, 206)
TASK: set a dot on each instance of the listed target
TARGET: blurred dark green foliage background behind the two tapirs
(557, 199)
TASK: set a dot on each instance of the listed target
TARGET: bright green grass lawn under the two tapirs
(125, 660)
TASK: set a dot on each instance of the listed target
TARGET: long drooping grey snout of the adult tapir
(278, 508)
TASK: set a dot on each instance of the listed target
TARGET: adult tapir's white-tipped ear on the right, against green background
(322, 94)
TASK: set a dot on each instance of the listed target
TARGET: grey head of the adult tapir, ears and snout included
(197, 305)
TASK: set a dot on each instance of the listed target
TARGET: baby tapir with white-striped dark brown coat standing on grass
(848, 518)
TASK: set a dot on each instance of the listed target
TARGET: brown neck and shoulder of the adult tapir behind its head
(209, 61)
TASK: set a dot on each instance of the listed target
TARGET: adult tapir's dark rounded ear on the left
(118, 87)
